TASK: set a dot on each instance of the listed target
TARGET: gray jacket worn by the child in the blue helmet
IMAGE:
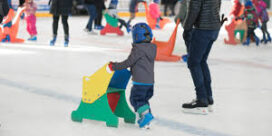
(141, 61)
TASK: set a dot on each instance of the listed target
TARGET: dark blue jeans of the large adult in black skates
(199, 49)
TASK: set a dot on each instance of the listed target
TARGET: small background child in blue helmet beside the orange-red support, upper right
(252, 22)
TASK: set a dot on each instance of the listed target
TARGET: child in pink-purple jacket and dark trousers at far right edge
(264, 18)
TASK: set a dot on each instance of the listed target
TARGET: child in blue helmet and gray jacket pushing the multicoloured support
(141, 62)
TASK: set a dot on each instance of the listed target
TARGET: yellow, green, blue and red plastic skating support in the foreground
(104, 99)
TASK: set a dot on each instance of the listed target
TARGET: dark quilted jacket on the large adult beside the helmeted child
(203, 14)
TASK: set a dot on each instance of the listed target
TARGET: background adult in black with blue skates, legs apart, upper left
(60, 8)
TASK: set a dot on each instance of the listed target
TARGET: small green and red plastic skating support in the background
(111, 26)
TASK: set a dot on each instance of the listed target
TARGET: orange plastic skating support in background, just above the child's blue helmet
(151, 21)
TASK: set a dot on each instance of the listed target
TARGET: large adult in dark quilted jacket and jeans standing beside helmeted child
(201, 28)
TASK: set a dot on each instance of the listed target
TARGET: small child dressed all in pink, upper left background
(30, 17)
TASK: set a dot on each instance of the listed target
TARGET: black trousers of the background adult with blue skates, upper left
(64, 19)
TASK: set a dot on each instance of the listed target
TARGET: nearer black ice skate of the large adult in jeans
(196, 107)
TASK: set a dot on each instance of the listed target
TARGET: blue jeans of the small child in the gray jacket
(140, 95)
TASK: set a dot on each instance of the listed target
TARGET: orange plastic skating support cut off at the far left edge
(13, 30)
